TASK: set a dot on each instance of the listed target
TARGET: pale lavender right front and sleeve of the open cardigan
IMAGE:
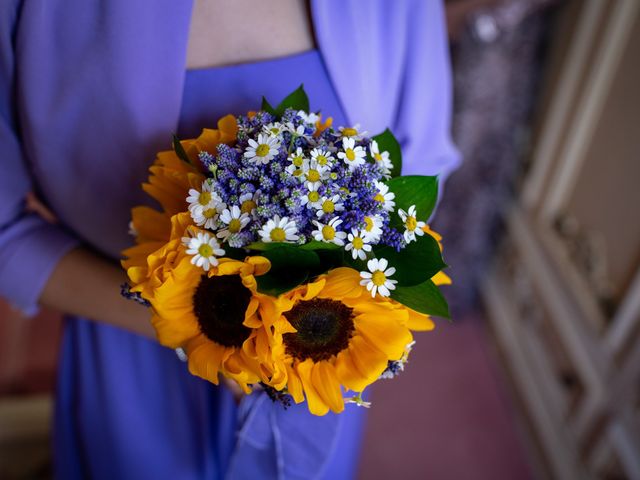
(389, 62)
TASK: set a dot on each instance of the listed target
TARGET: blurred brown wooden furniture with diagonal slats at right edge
(564, 296)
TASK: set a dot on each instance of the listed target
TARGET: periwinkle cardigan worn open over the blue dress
(90, 90)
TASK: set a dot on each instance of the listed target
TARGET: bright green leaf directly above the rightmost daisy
(418, 190)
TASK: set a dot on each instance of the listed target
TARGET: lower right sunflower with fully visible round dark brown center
(342, 339)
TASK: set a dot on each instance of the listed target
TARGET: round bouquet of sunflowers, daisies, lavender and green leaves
(288, 254)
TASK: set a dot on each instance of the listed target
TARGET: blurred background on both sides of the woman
(538, 376)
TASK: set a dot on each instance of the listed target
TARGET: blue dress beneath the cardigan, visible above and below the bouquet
(127, 408)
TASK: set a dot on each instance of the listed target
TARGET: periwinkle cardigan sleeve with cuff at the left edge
(29, 246)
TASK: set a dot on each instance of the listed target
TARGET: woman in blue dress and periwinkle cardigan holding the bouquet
(89, 91)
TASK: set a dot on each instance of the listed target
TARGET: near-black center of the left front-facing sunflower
(219, 304)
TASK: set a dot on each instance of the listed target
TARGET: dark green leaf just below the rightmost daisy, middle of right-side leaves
(416, 263)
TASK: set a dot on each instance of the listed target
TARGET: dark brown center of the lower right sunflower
(323, 326)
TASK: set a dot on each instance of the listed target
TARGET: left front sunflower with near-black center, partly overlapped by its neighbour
(212, 315)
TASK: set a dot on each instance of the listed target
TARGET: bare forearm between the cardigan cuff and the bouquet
(85, 284)
